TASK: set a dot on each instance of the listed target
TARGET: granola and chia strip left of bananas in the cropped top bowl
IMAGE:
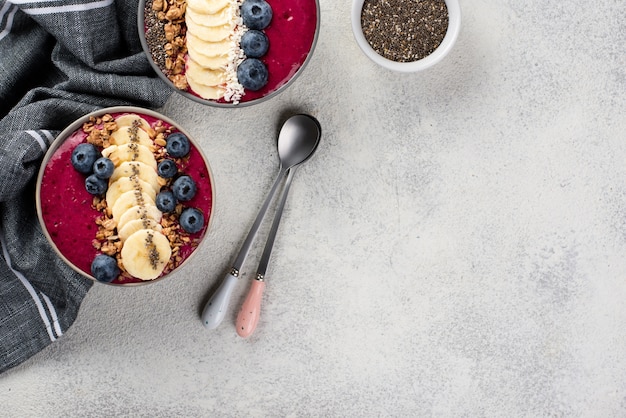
(166, 38)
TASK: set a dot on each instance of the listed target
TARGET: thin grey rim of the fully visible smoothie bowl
(73, 127)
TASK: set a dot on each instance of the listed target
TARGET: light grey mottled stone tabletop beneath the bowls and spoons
(455, 248)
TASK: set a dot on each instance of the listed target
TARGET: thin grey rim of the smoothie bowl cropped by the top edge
(281, 88)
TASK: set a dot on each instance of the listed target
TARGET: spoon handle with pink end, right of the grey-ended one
(248, 316)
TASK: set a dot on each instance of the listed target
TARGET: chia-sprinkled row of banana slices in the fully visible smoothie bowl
(131, 198)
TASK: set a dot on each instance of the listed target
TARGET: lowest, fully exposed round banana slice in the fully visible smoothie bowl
(145, 254)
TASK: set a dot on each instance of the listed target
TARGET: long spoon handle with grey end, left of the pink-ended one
(215, 309)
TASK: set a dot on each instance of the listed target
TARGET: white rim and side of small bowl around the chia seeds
(454, 26)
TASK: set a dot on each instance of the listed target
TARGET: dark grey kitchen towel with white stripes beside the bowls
(59, 59)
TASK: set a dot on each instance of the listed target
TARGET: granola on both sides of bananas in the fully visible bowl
(106, 239)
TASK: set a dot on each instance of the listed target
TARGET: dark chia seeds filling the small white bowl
(404, 30)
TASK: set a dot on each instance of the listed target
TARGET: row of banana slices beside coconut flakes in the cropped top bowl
(212, 26)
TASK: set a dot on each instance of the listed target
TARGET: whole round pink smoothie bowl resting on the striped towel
(125, 196)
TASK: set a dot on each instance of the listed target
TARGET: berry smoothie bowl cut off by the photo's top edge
(228, 53)
